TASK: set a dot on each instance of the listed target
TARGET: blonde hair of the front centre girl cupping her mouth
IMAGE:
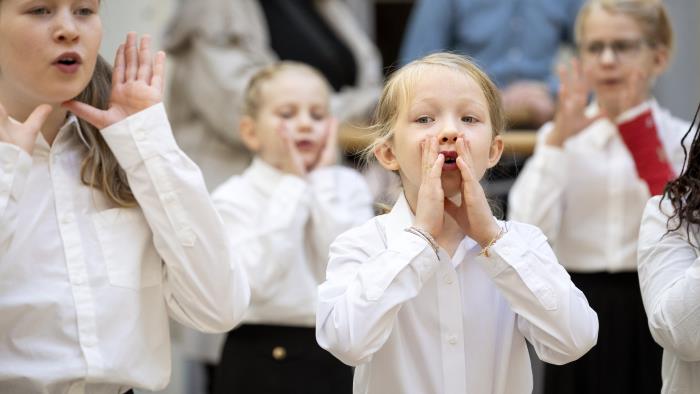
(398, 91)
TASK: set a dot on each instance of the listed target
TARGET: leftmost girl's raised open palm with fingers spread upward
(138, 82)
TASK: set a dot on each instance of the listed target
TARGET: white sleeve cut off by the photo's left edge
(14, 170)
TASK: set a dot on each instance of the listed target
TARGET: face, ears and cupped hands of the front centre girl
(448, 113)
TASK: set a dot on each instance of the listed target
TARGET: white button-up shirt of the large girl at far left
(86, 288)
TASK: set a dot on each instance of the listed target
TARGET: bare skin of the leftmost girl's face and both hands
(34, 92)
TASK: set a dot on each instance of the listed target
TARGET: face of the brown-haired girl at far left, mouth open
(48, 49)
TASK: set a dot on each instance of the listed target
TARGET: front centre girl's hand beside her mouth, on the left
(431, 196)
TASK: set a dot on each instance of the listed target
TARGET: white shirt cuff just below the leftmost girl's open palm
(141, 136)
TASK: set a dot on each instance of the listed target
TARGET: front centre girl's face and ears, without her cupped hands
(446, 104)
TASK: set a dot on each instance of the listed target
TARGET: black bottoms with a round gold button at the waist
(278, 359)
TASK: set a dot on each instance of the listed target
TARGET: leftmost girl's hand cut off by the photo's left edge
(24, 134)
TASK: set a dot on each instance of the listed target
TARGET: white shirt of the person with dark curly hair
(669, 277)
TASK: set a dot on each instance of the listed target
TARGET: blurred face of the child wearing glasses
(613, 50)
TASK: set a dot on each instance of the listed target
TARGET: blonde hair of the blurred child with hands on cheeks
(252, 98)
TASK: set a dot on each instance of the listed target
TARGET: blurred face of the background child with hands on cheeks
(294, 102)
